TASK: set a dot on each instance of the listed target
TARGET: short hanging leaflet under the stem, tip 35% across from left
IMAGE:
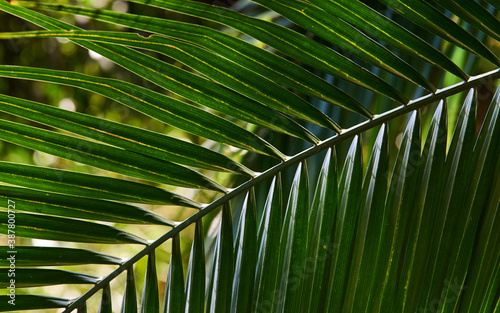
(175, 299)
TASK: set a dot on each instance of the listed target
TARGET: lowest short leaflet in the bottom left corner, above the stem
(31, 302)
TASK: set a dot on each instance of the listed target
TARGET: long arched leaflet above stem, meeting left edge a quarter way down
(156, 105)
